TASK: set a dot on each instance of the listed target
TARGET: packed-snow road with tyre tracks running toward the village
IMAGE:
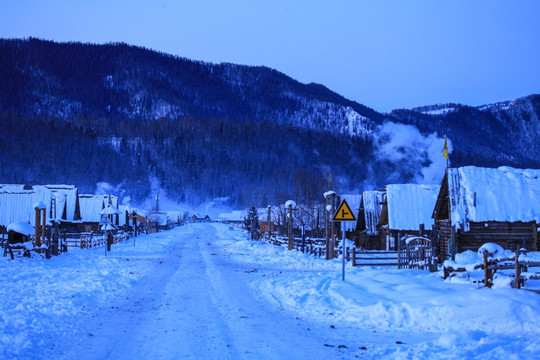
(196, 303)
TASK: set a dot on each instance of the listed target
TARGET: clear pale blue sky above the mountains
(383, 54)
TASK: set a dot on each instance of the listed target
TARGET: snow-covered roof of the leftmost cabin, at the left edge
(17, 202)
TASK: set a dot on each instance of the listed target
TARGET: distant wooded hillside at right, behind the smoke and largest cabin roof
(489, 135)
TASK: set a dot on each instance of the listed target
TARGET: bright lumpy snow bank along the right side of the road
(383, 299)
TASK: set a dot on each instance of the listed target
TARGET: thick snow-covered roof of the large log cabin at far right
(488, 194)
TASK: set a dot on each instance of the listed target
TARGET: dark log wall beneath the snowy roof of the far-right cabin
(510, 236)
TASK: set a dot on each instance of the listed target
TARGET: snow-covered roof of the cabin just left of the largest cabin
(410, 205)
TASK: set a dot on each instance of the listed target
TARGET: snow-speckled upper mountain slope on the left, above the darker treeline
(119, 81)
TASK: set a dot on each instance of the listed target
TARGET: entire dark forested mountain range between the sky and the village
(82, 114)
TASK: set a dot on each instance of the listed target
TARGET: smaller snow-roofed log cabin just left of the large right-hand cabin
(408, 209)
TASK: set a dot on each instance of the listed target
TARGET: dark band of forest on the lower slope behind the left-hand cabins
(193, 159)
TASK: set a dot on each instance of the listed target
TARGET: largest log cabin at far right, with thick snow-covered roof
(479, 205)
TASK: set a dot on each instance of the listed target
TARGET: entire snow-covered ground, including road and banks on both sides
(206, 291)
